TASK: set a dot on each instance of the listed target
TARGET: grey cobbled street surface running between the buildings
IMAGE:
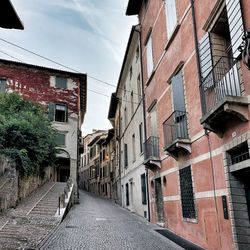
(98, 223)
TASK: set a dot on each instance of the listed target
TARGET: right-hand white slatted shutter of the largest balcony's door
(235, 25)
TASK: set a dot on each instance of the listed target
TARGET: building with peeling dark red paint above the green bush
(63, 94)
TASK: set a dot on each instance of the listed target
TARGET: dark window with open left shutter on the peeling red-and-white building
(58, 112)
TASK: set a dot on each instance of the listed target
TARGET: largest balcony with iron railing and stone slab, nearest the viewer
(222, 98)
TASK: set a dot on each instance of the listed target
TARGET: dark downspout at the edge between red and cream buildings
(144, 118)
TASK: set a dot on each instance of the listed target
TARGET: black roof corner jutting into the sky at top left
(8, 16)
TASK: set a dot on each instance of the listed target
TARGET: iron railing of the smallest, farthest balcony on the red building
(151, 146)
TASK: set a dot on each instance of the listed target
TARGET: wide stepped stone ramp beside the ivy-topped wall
(32, 220)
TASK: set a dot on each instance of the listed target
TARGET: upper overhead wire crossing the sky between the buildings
(62, 65)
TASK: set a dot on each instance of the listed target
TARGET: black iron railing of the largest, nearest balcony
(223, 80)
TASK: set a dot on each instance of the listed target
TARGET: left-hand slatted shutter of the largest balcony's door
(205, 54)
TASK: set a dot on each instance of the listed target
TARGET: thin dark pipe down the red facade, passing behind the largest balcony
(203, 109)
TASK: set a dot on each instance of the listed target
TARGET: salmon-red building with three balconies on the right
(196, 97)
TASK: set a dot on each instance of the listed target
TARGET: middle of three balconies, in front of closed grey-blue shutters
(176, 137)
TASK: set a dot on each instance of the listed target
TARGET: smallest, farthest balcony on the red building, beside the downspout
(152, 152)
